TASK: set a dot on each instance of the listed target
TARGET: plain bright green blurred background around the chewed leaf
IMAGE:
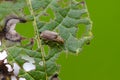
(101, 59)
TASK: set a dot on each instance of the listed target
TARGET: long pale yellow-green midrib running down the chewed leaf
(29, 3)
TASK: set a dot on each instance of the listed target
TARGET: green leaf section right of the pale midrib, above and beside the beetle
(66, 21)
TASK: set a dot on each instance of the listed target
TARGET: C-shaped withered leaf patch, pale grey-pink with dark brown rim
(8, 31)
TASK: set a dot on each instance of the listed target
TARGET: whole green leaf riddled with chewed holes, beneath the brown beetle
(37, 60)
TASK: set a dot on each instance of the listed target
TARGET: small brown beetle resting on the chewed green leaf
(51, 36)
